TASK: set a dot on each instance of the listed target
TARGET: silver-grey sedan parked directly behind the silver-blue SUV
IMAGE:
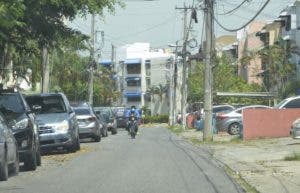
(88, 122)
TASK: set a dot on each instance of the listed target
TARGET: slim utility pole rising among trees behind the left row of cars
(92, 61)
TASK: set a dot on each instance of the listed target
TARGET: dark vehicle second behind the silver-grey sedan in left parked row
(109, 118)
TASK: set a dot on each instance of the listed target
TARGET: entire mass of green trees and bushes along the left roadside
(34, 35)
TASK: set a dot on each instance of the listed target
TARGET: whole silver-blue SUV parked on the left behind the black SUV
(58, 127)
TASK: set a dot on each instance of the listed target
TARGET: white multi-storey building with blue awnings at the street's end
(142, 76)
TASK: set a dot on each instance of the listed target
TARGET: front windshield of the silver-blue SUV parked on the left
(48, 104)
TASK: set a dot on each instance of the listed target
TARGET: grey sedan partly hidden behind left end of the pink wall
(231, 121)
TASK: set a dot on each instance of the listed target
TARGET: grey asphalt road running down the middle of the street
(155, 162)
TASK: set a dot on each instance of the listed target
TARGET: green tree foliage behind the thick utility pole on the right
(225, 79)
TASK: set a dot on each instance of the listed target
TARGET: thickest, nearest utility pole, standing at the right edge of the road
(208, 79)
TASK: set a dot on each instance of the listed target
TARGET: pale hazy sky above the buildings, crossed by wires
(160, 24)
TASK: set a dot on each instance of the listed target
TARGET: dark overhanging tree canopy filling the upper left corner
(28, 25)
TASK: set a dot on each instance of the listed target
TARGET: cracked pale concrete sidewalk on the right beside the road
(259, 162)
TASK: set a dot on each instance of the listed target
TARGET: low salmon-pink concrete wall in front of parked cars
(268, 123)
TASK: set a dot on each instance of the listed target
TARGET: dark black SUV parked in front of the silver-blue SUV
(22, 121)
